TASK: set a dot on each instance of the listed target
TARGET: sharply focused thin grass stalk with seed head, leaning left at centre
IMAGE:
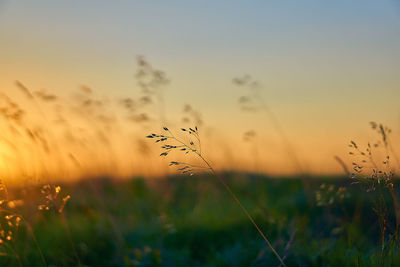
(188, 168)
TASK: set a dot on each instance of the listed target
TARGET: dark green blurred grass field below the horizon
(192, 221)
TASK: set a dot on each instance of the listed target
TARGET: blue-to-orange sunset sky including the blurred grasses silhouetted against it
(261, 81)
